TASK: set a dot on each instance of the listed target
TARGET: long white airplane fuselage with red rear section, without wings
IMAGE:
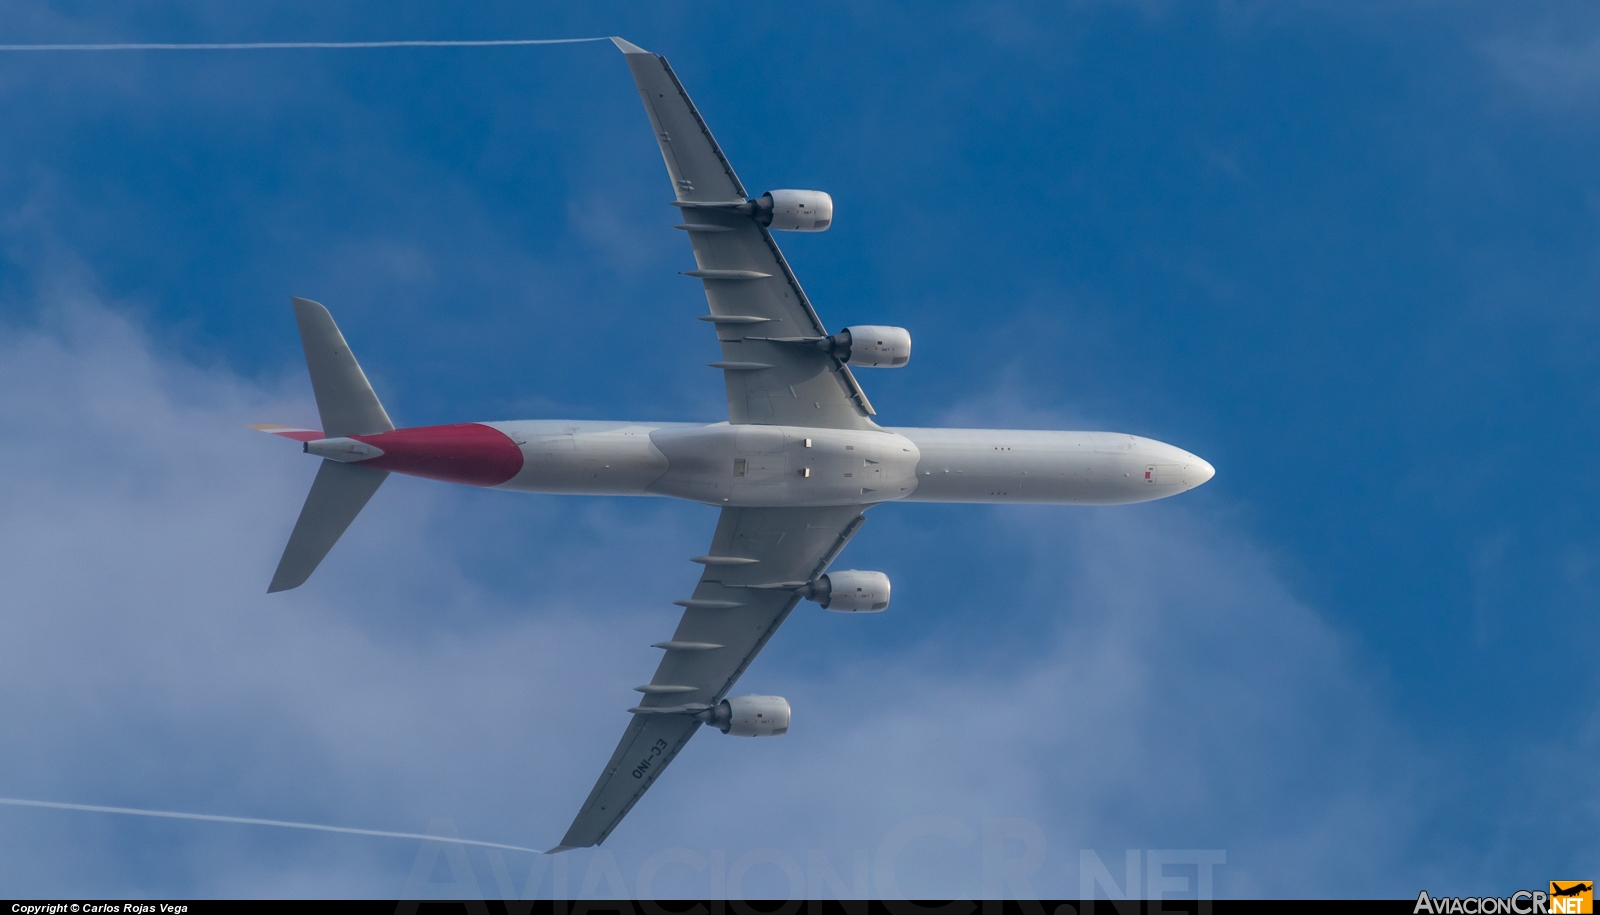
(774, 466)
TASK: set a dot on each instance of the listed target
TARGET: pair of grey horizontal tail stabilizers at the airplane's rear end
(348, 407)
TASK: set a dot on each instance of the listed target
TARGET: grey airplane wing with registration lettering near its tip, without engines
(734, 613)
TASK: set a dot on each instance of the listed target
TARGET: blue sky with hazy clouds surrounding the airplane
(1345, 252)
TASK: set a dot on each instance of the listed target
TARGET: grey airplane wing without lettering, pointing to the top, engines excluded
(748, 282)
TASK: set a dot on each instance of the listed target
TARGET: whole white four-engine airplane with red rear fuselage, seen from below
(794, 468)
